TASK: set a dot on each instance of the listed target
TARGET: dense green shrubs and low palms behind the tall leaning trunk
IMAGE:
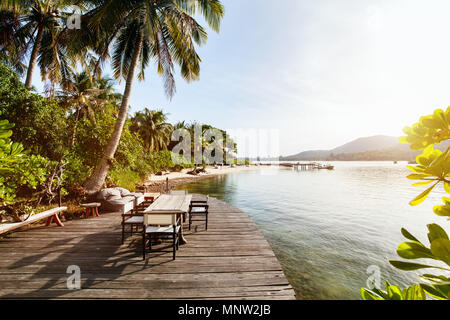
(47, 153)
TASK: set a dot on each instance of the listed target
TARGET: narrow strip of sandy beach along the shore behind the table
(158, 183)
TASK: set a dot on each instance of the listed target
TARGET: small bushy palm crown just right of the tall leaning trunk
(153, 128)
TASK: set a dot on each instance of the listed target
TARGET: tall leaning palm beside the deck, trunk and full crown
(163, 30)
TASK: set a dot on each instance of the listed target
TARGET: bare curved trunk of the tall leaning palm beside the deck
(97, 179)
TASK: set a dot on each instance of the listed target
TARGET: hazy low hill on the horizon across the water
(376, 148)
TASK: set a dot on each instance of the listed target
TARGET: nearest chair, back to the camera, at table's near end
(161, 226)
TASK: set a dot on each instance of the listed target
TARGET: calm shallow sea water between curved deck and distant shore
(328, 227)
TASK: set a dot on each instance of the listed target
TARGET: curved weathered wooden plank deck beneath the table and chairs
(231, 260)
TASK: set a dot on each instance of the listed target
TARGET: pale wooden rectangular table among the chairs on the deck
(171, 204)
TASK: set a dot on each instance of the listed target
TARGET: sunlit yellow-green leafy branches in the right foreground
(433, 169)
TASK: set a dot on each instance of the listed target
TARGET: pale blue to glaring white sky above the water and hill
(323, 72)
